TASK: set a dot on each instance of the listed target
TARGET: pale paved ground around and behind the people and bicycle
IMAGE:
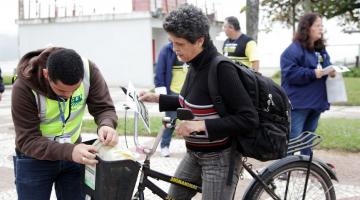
(347, 164)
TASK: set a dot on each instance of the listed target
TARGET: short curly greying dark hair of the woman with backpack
(188, 22)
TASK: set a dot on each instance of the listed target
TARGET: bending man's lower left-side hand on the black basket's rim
(84, 154)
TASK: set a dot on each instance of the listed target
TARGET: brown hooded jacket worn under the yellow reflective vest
(25, 112)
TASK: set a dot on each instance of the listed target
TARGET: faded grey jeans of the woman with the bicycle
(210, 170)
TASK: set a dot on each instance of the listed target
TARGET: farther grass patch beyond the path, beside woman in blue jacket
(352, 89)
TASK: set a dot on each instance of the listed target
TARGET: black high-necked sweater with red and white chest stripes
(195, 96)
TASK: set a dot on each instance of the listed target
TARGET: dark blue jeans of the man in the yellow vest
(34, 179)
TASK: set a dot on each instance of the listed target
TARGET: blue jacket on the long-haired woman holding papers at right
(299, 80)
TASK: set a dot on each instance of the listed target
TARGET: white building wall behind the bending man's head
(122, 49)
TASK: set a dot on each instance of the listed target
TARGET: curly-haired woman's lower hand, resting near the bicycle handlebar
(185, 128)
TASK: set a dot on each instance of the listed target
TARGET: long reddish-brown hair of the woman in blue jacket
(303, 33)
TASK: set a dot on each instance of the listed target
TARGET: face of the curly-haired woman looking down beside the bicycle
(184, 49)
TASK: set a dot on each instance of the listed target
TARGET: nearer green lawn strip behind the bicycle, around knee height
(339, 134)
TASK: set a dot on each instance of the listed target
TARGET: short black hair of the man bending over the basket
(65, 65)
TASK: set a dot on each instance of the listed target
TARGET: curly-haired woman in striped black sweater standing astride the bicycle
(208, 154)
